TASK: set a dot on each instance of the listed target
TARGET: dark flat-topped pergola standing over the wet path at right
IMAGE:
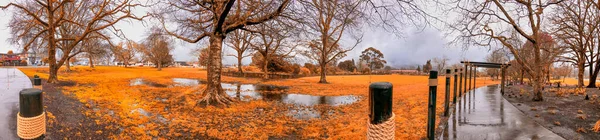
(472, 74)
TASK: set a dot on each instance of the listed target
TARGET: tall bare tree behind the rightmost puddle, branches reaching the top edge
(330, 19)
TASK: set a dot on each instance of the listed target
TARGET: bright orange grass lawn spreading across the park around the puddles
(107, 91)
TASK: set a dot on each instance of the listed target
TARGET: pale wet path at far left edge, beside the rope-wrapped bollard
(11, 82)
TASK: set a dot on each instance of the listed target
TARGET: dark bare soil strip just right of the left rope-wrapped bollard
(66, 118)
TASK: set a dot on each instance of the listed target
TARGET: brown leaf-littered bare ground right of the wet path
(563, 111)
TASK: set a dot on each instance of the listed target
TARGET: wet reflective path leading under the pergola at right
(483, 114)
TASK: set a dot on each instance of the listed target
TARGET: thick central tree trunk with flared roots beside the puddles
(214, 94)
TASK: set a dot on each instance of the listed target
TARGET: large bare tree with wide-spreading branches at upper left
(47, 18)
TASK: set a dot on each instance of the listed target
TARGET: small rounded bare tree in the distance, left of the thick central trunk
(156, 48)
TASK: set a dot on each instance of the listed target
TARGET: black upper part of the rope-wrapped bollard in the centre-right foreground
(380, 102)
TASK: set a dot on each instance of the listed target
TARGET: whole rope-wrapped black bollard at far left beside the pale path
(30, 107)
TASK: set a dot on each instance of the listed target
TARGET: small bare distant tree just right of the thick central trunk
(240, 42)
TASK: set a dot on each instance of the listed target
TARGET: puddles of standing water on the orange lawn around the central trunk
(246, 92)
